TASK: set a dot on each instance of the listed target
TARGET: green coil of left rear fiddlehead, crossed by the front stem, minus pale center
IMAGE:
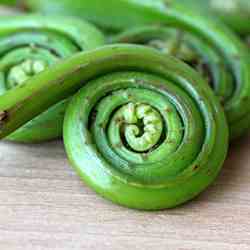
(55, 38)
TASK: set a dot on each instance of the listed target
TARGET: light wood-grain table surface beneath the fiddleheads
(44, 206)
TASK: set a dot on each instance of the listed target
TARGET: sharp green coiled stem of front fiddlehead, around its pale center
(142, 183)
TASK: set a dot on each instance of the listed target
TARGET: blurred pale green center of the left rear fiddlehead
(25, 70)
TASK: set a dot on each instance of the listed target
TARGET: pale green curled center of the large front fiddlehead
(143, 126)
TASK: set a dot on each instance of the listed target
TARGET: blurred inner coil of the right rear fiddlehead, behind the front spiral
(187, 48)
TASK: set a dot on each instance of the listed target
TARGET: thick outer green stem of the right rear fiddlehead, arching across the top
(124, 14)
